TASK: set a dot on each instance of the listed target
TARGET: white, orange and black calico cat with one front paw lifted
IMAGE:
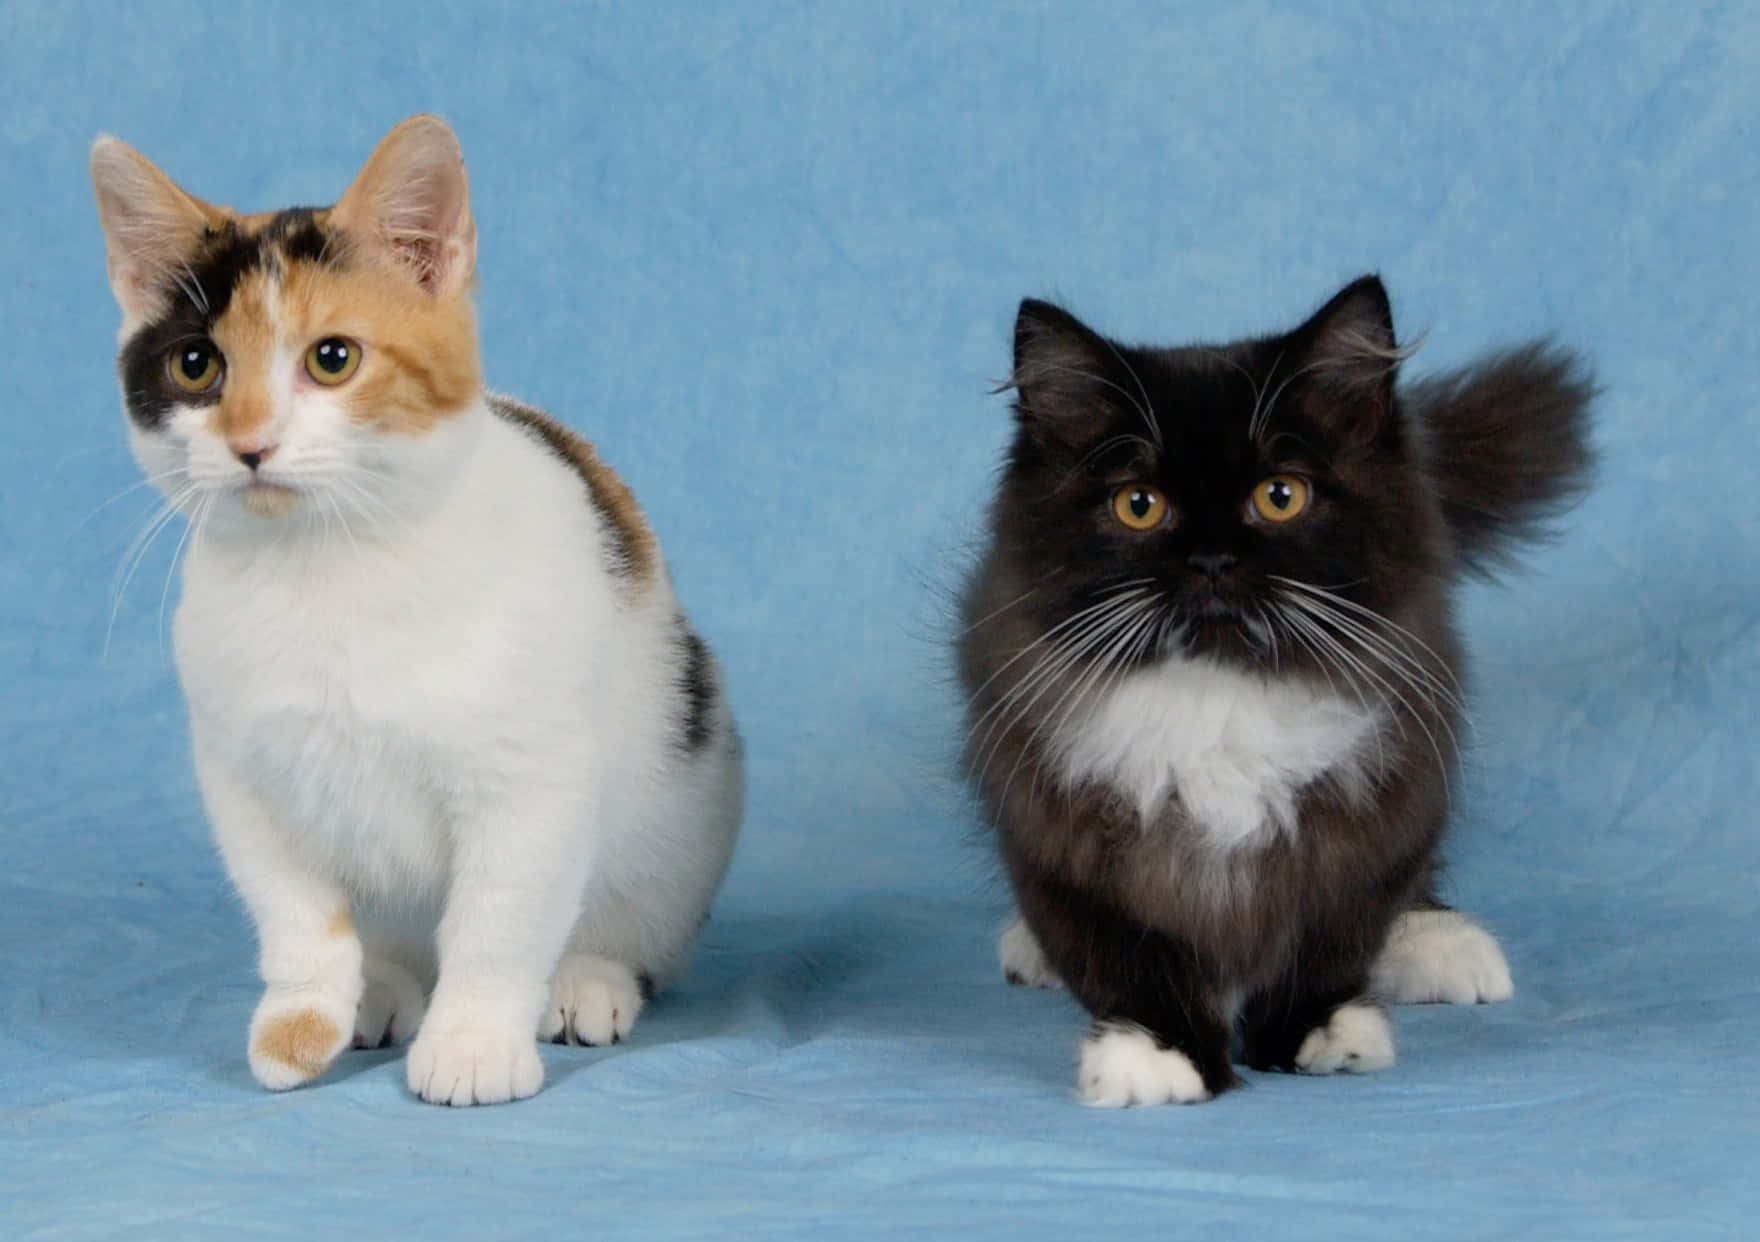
(467, 763)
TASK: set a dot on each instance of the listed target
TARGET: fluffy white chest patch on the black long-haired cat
(1235, 749)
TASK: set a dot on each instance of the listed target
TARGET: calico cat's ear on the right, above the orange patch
(411, 207)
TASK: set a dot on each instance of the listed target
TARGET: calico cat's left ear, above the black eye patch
(150, 226)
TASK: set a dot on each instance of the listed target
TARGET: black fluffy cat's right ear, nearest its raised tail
(1351, 360)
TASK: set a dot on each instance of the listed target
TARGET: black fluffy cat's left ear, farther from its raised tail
(1060, 372)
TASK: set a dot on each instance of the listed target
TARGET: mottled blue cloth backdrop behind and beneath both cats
(768, 256)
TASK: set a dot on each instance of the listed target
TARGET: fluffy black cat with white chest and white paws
(1214, 680)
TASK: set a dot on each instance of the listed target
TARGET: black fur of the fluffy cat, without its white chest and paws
(1243, 953)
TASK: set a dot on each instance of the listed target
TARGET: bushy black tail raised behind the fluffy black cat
(1507, 442)
